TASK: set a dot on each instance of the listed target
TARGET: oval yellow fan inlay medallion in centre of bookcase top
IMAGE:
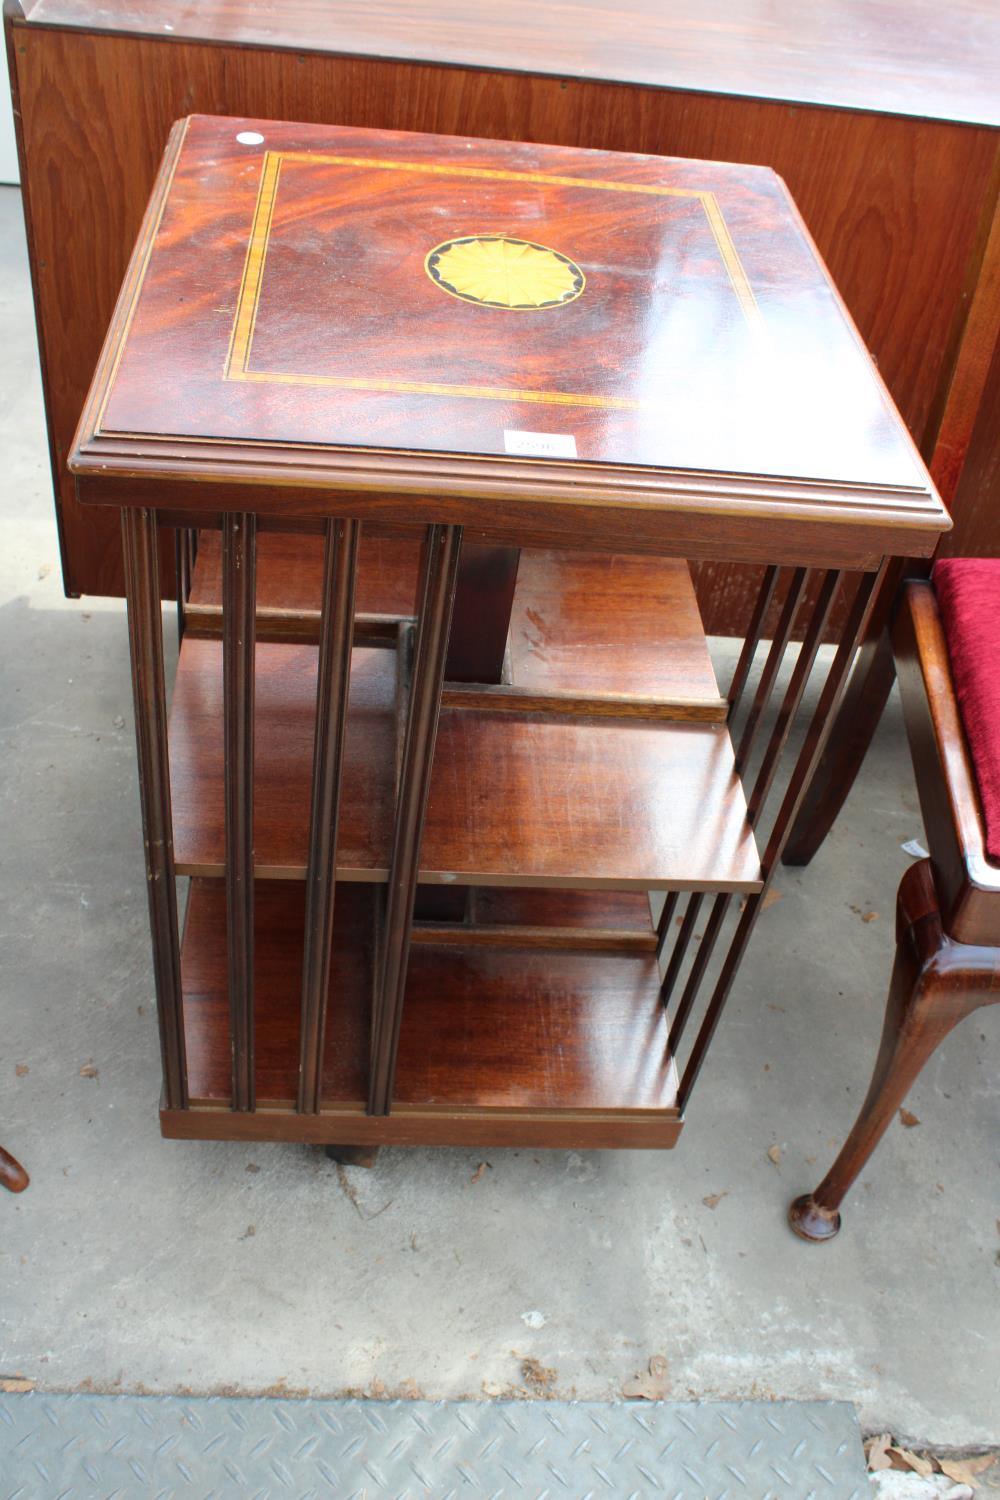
(497, 271)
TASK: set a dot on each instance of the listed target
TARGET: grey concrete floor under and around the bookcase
(143, 1265)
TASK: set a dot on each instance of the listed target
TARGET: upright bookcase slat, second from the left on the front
(239, 616)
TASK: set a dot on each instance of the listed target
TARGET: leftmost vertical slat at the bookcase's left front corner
(146, 649)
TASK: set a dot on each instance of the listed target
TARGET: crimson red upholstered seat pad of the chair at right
(969, 601)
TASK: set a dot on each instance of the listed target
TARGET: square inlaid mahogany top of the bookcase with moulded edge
(316, 308)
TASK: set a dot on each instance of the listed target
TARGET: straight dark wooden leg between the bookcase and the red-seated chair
(854, 730)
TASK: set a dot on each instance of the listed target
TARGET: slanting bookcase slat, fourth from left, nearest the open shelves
(440, 574)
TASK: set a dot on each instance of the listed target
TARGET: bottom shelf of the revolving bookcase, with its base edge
(500, 1045)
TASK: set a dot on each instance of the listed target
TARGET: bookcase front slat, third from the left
(332, 719)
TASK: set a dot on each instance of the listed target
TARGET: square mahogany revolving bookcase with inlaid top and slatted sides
(437, 428)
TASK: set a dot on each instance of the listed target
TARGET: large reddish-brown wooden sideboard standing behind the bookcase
(882, 118)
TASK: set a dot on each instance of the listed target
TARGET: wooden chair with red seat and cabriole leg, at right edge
(947, 646)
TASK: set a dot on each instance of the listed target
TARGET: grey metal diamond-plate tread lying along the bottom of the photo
(220, 1448)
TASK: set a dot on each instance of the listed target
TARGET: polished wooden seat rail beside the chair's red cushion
(968, 883)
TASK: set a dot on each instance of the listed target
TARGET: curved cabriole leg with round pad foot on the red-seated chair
(936, 983)
